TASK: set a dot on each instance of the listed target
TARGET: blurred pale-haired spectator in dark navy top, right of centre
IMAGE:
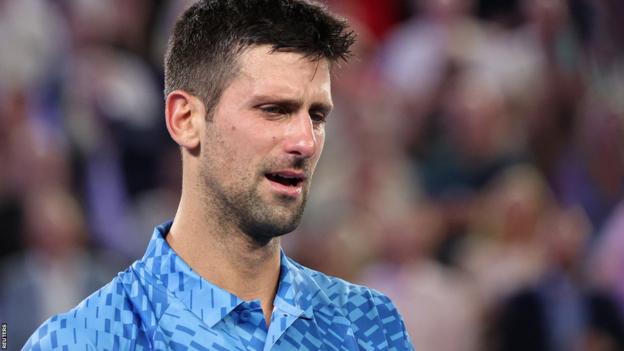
(477, 138)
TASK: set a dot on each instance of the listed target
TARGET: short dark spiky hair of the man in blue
(208, 38)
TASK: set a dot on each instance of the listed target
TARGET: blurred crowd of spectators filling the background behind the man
(473, 168)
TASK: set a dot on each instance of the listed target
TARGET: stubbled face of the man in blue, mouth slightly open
(262, 144)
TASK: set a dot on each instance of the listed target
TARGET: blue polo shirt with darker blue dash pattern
(160, 303)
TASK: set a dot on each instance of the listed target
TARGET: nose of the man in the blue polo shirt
(301, 139)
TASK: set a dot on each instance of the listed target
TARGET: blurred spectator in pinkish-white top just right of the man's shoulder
(436, 299)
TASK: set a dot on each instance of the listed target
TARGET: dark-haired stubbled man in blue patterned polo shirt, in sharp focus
(247, 86)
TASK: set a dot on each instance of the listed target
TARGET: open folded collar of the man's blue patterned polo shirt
(295, 294)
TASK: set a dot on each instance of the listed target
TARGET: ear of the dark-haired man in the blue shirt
(185, 115)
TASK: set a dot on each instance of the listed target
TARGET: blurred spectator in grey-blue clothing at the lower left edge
(55, 271)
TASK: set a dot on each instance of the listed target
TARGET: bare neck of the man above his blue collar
(222, 254)
